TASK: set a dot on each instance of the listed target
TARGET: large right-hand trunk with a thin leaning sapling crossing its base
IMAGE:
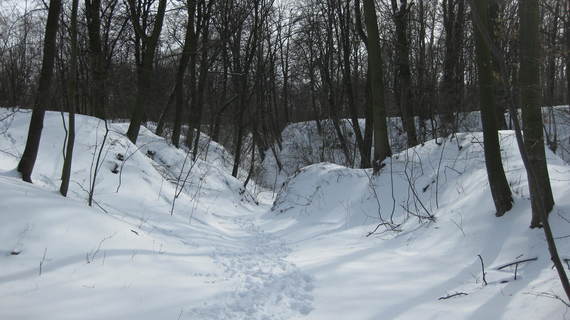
(532, 117)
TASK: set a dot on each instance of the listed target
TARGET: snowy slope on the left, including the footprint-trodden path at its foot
(128, 257)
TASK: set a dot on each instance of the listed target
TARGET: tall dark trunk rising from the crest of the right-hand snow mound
(381, 143)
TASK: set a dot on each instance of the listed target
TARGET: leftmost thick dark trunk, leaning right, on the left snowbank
(28, 160)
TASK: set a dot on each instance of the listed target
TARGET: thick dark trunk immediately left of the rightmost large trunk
(498, 183)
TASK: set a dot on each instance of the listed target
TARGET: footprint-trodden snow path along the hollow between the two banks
(264, 284)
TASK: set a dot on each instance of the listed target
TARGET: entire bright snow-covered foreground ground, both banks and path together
(225, 252)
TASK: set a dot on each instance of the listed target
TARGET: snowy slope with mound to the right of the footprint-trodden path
(326, 211)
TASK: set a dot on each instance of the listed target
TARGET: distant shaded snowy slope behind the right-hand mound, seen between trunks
(302, 143)
